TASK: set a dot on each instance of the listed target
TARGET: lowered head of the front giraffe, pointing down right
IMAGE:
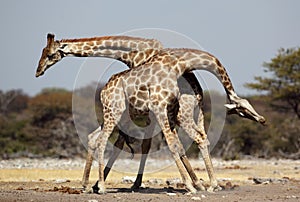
(244, 109)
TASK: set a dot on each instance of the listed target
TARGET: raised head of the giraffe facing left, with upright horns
(50, 55)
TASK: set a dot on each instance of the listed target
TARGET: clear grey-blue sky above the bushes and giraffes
(242, 34)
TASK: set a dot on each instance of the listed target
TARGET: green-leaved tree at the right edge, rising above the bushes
(283, 85)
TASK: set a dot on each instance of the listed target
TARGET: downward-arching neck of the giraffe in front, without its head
(191, 59)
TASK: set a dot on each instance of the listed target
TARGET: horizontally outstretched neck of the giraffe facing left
(132, 51)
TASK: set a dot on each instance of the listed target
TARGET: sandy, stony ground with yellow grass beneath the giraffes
(59, 180)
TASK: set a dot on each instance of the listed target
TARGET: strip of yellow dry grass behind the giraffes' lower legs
(236, 171)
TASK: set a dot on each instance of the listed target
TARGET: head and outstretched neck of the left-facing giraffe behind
(132, 51)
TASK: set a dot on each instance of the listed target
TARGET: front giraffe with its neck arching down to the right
(153, 87)
